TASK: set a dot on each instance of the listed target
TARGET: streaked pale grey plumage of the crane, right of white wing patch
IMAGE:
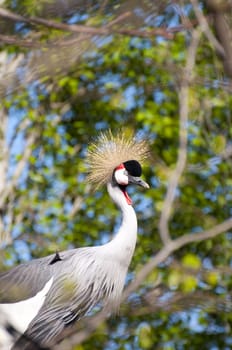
(78, 288)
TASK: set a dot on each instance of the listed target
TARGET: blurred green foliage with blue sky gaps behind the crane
(129, 82)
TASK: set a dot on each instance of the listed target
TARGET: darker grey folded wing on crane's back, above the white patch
(26, 280)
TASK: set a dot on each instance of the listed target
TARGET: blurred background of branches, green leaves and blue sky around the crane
(161, 70)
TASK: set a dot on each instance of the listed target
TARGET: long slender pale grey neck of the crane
(123, 244)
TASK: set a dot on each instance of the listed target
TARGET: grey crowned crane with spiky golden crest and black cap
(72, 282)
